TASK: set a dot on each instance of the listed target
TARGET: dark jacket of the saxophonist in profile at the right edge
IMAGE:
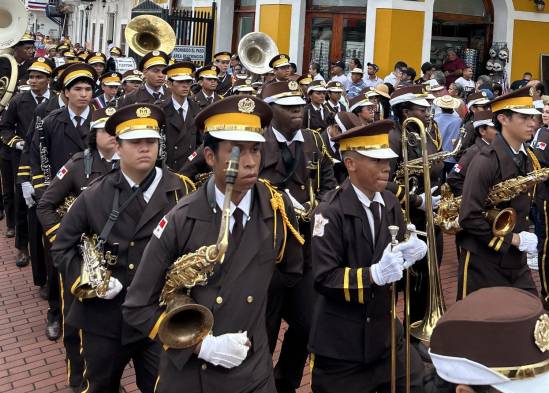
(491, 166)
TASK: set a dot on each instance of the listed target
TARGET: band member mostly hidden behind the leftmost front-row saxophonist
(98, 158)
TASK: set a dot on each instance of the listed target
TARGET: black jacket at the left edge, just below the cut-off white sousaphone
(14, 124)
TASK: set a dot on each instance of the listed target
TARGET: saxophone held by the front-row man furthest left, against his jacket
(94, 273)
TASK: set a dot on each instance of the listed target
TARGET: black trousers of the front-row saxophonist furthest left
(106, 358)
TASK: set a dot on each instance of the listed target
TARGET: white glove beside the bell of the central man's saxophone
(228, 350)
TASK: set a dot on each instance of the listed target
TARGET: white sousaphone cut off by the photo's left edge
(13, 24)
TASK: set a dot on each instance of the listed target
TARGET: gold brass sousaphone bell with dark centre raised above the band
(146, 33)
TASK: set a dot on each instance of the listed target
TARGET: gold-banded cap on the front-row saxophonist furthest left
(137, 121)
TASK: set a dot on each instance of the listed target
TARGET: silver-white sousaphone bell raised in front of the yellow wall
(255, 51)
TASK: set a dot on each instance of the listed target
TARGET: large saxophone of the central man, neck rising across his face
(186, 323)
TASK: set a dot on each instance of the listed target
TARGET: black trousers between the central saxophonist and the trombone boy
(295, 305)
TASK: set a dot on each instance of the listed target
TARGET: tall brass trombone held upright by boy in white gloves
(435, 303)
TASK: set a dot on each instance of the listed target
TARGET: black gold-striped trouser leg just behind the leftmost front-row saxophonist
(71, 341)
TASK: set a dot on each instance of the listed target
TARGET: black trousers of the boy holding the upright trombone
(334, 375)
